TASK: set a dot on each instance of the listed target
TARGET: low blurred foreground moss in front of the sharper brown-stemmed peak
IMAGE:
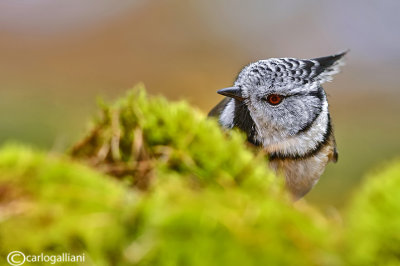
(53, 205)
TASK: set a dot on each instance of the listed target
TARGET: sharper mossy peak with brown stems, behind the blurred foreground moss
(142, 138)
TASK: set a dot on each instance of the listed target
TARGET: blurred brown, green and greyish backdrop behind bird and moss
(56, 57)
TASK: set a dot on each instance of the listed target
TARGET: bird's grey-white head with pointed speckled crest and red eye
(284, 96)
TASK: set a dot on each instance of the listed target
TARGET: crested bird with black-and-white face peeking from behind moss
(280, 105)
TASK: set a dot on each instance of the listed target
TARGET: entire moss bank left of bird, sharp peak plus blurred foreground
(206, 198)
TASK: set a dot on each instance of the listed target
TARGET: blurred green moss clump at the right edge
(372, 233)
